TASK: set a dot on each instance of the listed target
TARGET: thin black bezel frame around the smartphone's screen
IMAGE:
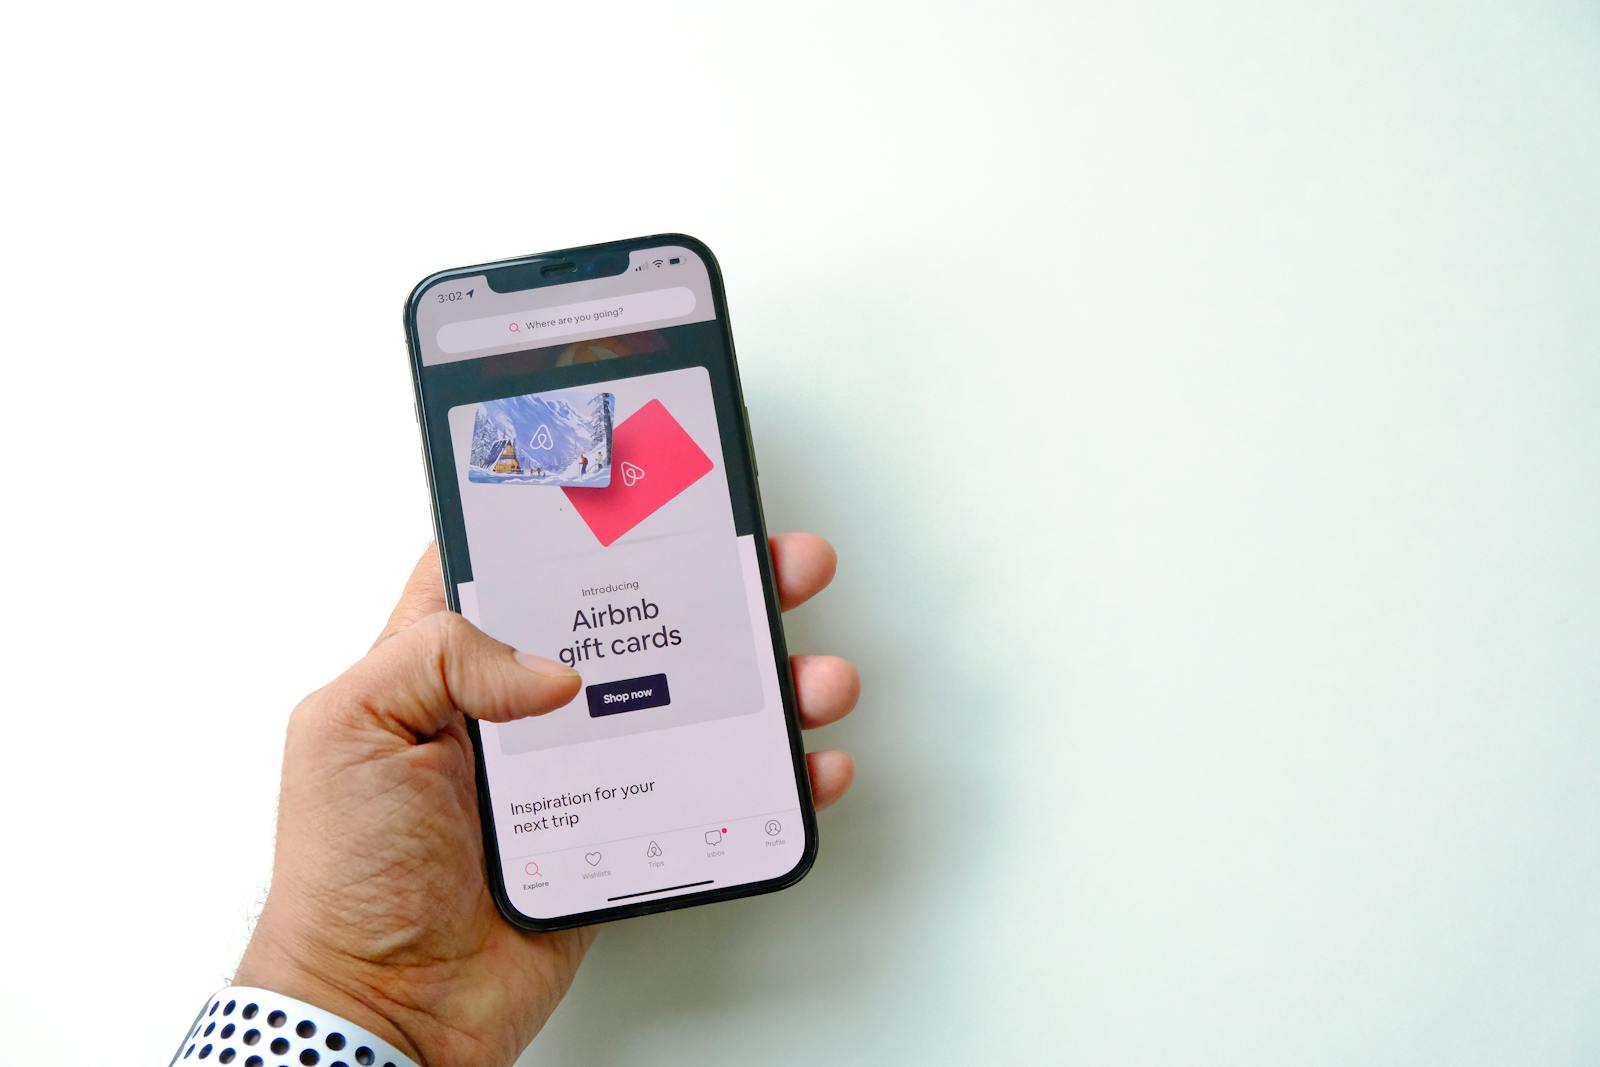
(494, 868)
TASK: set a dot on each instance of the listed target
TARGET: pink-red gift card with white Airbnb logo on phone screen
(652, 462)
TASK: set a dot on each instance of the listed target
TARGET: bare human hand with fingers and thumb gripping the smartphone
(380, 909)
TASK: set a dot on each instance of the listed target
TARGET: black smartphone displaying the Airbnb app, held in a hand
(596, 502)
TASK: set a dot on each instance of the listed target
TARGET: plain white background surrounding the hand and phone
(1204, 402)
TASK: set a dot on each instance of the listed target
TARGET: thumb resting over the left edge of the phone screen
(442, 666)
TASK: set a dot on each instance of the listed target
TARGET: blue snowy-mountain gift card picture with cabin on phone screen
(561, 438)
